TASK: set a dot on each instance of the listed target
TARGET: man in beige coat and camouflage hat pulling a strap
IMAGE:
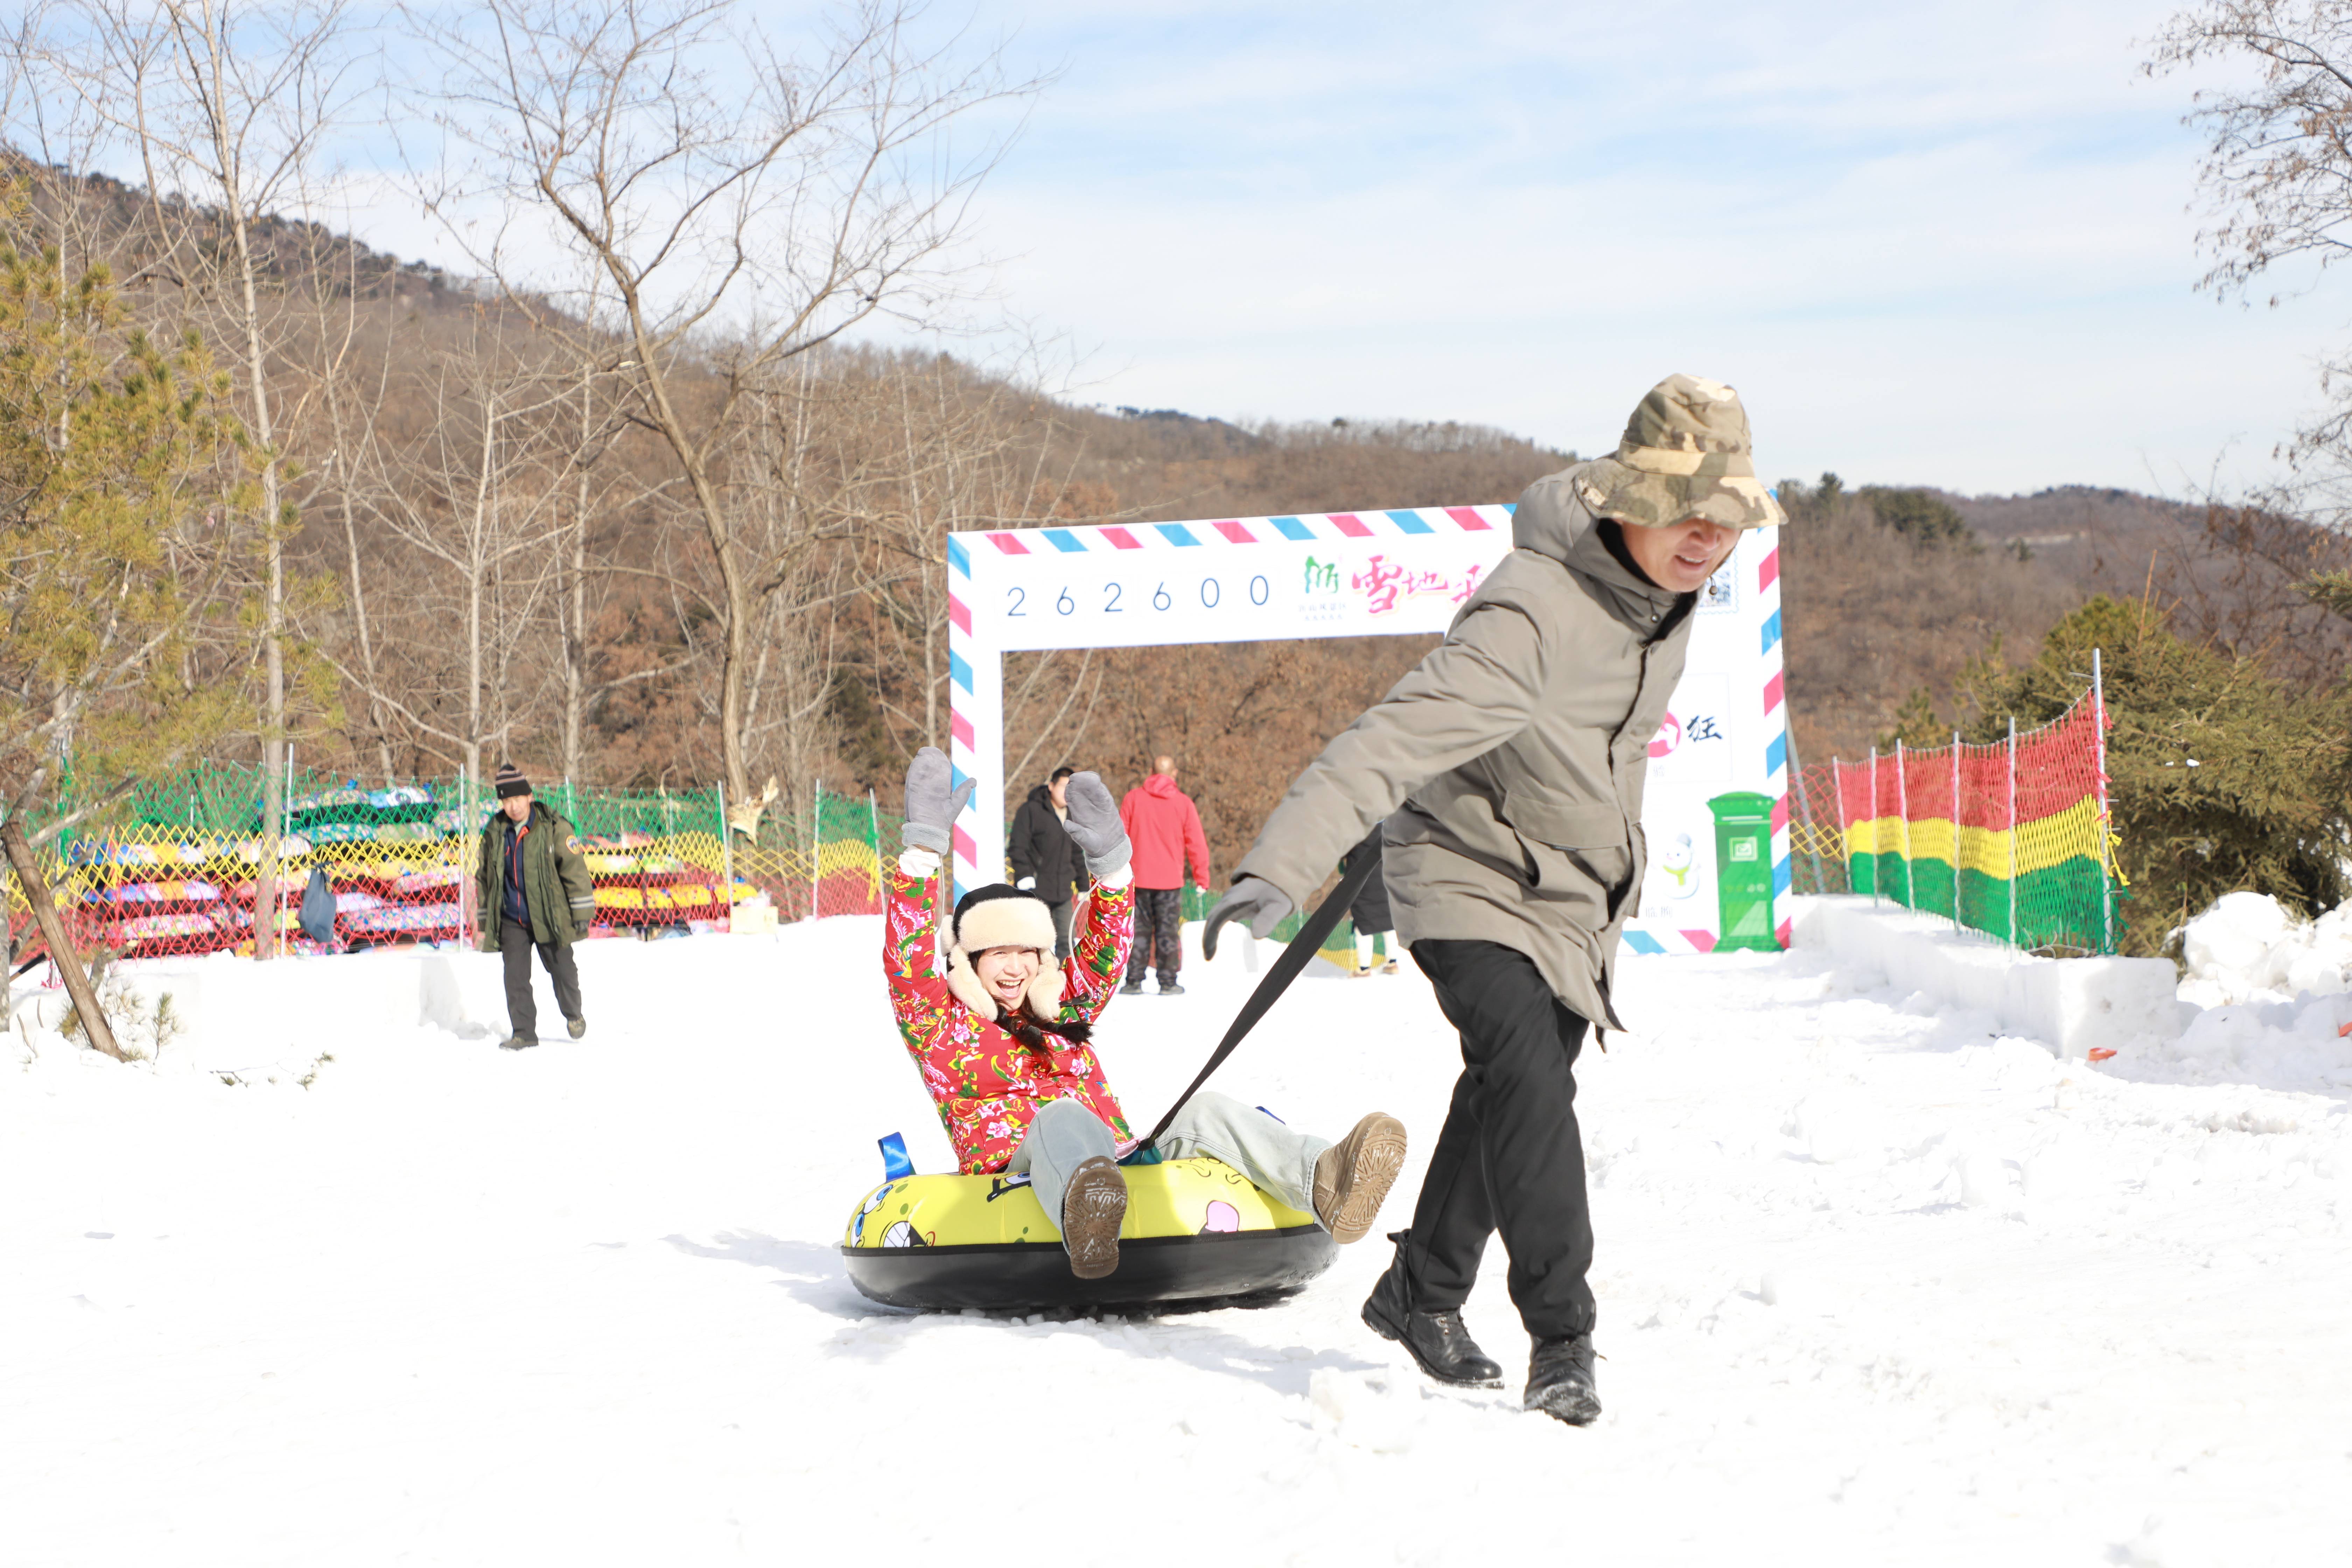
(1511, 768)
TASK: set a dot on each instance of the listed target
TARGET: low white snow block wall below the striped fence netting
(2071, 1005)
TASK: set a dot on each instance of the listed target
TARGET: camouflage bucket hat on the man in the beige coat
(1685, 455)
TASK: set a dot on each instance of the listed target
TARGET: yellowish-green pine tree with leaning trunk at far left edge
(114, 455)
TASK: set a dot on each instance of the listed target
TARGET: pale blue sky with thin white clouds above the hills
(1930, 243)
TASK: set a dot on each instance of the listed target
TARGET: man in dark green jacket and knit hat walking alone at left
(535, 892)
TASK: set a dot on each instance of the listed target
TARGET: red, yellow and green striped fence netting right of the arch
(2007, 838)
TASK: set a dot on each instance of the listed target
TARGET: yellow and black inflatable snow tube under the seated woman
(1196, 1231)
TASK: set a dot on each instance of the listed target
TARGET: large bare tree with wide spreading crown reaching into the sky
(740, 203)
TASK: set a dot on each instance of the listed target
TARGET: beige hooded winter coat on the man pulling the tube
(1518, 753)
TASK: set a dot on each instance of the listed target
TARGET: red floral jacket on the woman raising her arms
(987, 1083)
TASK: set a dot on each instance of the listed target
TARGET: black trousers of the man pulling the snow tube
(1509, 1155)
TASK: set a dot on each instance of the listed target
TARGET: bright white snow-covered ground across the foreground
(1878, 1287)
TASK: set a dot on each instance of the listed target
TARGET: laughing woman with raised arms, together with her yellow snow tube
(1003, 1047)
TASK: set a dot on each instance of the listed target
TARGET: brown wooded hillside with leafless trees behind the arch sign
(495, 558)
